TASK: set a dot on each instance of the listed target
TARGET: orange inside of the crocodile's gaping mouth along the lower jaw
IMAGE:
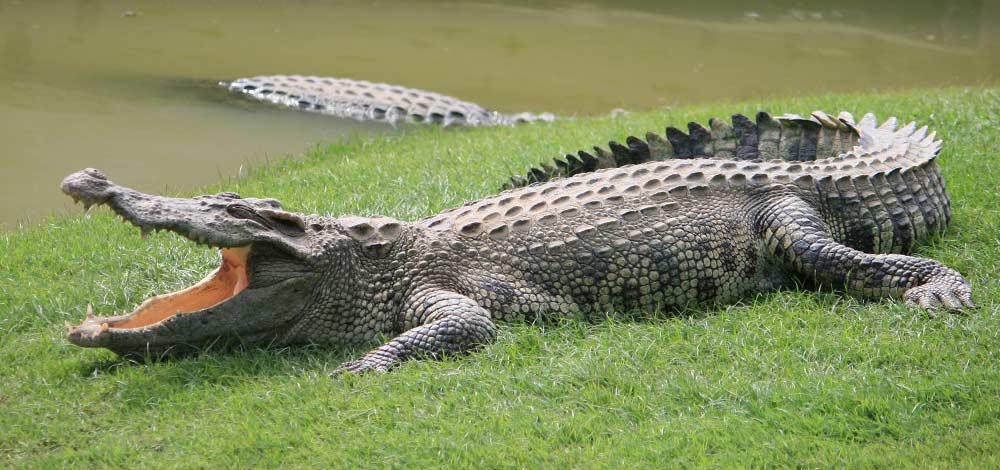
(223, 284)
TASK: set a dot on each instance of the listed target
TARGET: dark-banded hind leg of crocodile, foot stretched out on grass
(795, 234)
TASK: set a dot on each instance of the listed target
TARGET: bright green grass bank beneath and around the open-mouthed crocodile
(791, 379)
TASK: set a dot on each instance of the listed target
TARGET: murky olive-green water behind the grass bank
(119, 85)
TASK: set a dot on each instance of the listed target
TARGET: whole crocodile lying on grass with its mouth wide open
(707, 217)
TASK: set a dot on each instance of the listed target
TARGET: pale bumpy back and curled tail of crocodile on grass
(876, 185)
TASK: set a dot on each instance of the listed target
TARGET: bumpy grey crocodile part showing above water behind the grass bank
(368, 101)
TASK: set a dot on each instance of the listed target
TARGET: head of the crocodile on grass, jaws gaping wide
(265, 280)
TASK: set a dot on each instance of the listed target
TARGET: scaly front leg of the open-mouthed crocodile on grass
(452, 324)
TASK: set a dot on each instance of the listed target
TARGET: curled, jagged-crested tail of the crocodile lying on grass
(881, 177)
